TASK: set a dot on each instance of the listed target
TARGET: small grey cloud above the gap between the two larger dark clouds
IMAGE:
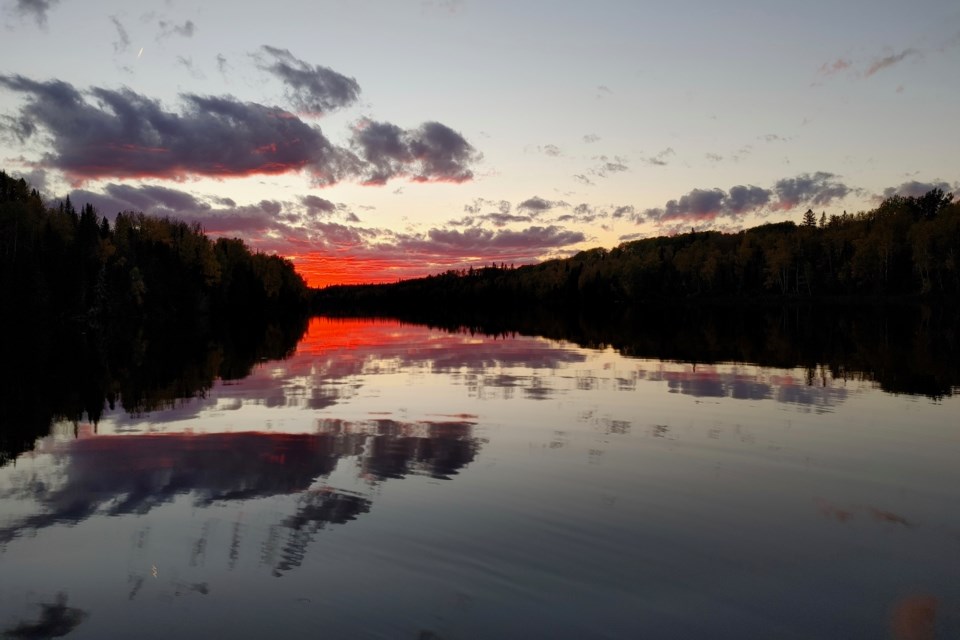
(310, 88)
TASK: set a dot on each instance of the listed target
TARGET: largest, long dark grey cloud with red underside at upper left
(124, 134)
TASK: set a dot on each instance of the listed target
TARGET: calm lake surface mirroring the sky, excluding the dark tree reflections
(392, 481)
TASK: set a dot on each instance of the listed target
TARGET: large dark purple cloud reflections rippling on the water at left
(119, 475)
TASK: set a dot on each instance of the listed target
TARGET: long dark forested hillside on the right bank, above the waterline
(907, 246)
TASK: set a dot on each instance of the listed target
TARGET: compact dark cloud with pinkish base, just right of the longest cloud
(431, 153)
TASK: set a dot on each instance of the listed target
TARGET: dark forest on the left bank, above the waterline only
(73, 267)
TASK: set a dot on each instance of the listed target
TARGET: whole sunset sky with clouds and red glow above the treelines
(372, 140)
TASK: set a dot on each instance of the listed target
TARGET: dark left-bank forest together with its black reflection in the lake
(142, 312)
